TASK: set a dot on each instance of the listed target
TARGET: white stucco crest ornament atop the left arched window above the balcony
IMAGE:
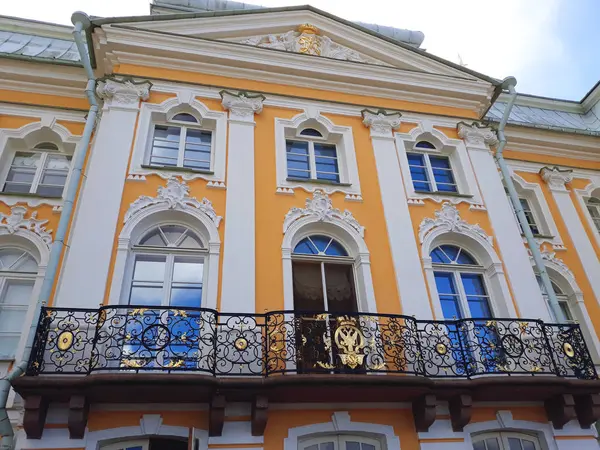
(175, 195)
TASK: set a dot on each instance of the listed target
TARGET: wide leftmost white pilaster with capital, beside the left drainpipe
(83, 280)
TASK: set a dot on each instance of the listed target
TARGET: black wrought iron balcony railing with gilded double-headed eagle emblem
(139, 338)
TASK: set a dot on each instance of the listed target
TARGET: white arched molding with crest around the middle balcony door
(319, 217)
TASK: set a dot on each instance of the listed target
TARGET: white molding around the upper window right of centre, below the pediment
(454, 149)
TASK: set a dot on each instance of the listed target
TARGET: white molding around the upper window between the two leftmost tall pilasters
(185, 100)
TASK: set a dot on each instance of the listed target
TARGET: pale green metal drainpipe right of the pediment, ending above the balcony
(510, 83)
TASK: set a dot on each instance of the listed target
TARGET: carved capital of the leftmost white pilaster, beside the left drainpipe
(123, 92)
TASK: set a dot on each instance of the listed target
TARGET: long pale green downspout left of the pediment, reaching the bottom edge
(81, 22)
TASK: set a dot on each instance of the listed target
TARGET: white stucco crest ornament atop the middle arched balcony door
(321, 209)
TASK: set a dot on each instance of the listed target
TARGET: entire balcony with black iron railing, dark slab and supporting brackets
(137, 354)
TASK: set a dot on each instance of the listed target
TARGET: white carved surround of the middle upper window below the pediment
(340, 135)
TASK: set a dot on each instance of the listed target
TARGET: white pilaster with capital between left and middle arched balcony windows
(238, 291)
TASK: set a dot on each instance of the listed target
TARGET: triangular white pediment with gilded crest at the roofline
(305, 30)
